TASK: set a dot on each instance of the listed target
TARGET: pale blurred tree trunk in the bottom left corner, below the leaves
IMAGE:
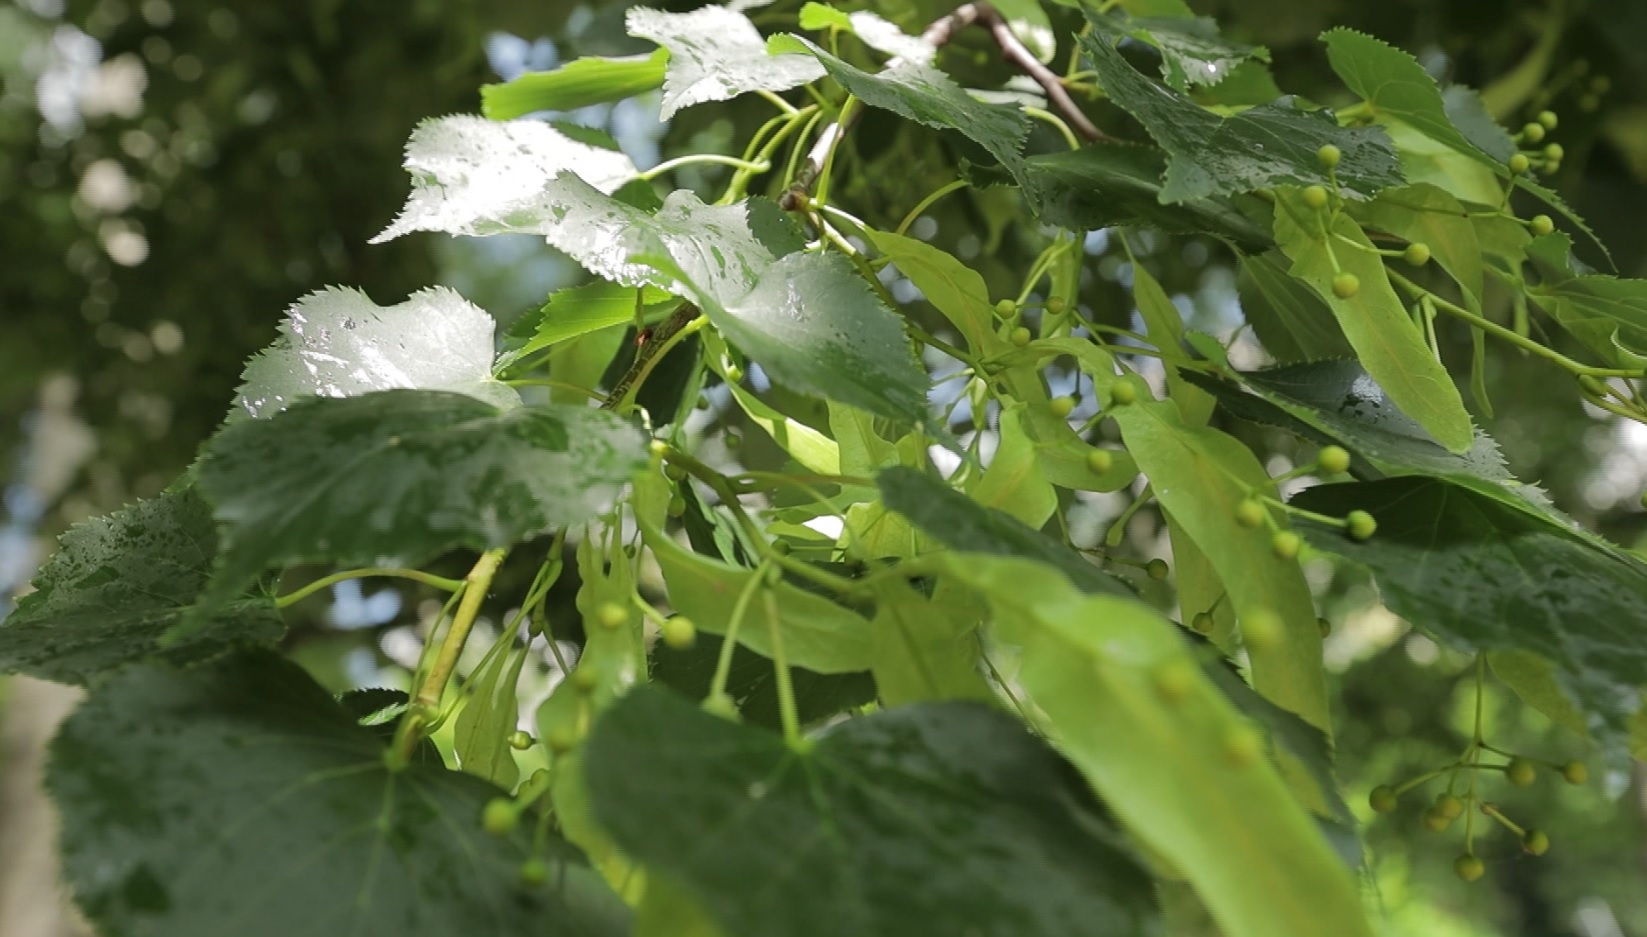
(32, 900)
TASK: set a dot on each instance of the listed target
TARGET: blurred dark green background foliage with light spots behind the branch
(175, 175)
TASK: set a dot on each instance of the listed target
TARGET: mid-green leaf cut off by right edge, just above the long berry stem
(1607, 314)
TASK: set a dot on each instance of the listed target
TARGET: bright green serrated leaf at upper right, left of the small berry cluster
(1394, 85)
